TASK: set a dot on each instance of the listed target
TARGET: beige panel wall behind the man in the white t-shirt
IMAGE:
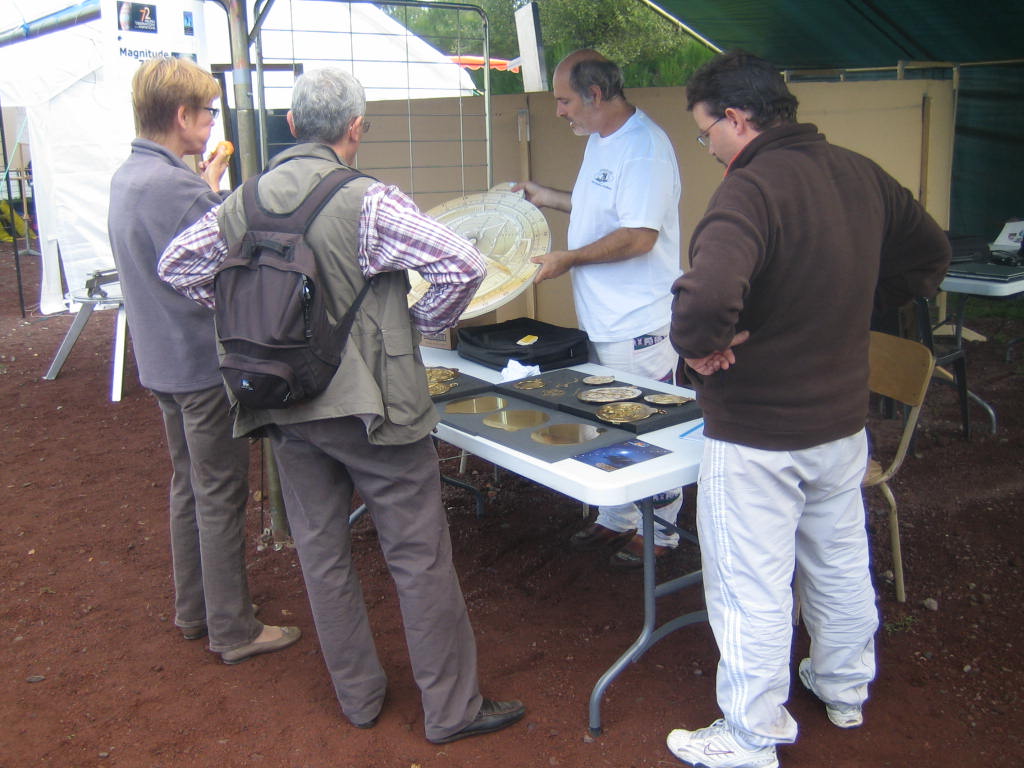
(883, 120)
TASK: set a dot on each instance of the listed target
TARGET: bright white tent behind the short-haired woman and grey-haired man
(74, 87)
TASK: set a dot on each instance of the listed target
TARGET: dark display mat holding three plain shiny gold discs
(521, 440)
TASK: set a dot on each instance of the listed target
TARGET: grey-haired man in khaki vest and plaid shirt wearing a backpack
(370, 431)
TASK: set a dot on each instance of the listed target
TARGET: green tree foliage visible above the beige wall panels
(652, 51)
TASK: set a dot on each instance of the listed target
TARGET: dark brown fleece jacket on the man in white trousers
(799, 244)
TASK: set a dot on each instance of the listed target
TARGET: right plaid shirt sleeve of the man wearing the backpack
(396, 235)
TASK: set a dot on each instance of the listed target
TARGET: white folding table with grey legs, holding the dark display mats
(638, 483)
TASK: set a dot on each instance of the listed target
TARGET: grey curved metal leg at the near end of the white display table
(651, 633)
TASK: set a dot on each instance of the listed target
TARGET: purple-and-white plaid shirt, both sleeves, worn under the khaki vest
(394, 236)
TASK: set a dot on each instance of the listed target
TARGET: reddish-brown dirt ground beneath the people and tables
(96, 674)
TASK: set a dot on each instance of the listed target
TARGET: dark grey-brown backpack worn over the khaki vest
(280, 346)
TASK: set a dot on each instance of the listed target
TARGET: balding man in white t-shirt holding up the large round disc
(623, 255)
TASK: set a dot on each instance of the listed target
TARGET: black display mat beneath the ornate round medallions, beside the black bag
(562, 388)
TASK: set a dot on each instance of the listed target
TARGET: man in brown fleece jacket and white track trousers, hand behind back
(799, 244)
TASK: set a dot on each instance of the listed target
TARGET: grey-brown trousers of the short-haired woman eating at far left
(209, 490)
